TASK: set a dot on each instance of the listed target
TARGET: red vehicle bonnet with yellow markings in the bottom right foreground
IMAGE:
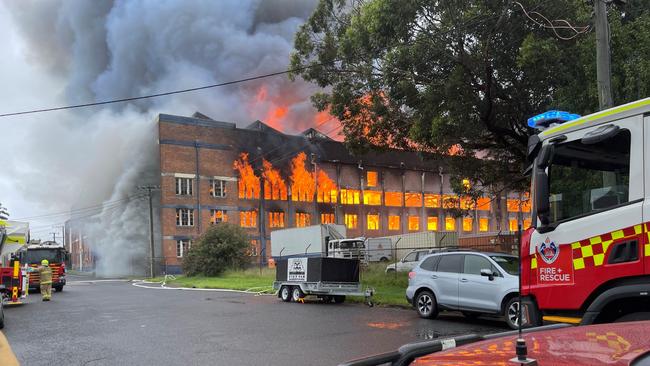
(557, 344)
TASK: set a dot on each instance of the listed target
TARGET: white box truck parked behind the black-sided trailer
(326, 240)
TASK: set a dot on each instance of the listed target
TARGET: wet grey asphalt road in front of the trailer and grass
(116, 323)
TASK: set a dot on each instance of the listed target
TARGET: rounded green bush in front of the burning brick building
(222, 247)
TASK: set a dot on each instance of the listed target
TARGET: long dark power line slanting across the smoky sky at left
(149, 96)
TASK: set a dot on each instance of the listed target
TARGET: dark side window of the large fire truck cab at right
(585, 178)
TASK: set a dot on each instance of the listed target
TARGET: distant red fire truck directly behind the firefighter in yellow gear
(32, 255)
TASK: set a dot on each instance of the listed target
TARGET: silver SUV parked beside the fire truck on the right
(474, 283)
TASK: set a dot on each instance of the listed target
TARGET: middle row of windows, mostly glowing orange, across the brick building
(217, 188)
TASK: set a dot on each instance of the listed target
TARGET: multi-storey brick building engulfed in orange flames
(262, 179)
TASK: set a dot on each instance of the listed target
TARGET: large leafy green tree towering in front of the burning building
(453, 75)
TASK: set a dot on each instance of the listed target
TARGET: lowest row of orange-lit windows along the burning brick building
(248, 219)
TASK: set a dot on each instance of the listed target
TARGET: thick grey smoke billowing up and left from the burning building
(114, 49)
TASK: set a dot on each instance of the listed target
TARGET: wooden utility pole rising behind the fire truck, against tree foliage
(603, 56)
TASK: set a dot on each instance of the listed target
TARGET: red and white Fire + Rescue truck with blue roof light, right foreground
(587, 257)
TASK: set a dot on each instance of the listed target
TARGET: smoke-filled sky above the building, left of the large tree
(66, 52)
